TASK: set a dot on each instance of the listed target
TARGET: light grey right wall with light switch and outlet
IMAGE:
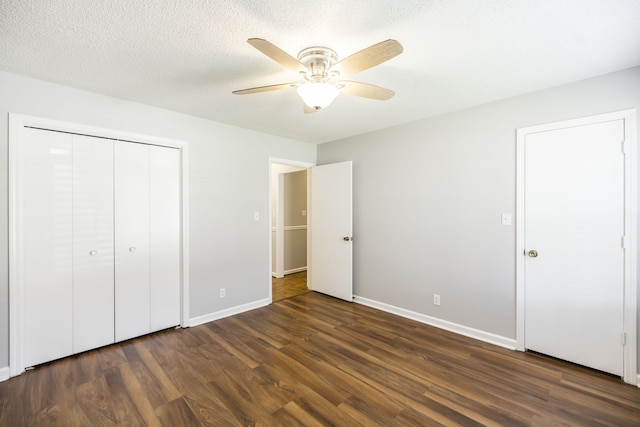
(428, 199)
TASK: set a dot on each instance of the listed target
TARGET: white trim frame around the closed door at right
(628, 146)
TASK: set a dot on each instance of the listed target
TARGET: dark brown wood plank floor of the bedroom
(312, 360)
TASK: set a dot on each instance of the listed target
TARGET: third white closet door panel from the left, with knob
(131, 179)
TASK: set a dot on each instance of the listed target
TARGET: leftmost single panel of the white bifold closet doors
(44, 246)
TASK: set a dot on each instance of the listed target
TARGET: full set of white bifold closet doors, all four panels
(97, 241)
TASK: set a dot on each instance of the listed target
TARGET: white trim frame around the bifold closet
(17, 122)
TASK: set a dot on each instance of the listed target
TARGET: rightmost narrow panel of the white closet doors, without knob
(164, 180)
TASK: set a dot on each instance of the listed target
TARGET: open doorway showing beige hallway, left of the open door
(289, 229)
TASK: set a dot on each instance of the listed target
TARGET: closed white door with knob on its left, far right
(574, 225)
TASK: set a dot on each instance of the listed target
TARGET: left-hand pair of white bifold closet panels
(65, 243)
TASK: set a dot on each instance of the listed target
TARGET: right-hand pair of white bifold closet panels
(147, 220)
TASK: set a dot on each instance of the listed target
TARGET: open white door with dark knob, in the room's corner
(331, 247)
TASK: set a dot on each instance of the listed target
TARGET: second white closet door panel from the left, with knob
(93, 292)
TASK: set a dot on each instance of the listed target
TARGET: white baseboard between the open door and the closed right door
(439, 323)
